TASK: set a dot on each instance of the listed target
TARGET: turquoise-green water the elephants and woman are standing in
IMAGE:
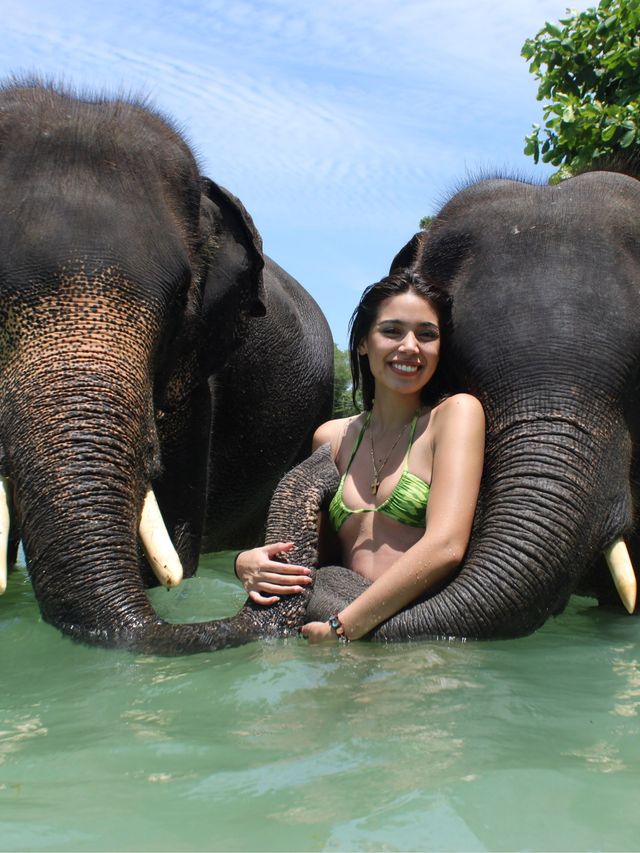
(531, 744)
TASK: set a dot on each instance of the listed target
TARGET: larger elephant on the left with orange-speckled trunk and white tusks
(158, 372)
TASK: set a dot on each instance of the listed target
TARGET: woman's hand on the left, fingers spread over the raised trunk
(265, 579)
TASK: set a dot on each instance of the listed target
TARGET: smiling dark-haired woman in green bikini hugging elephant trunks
(410, 466)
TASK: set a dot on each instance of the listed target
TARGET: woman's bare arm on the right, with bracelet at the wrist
(458, 453)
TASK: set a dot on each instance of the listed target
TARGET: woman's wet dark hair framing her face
(365, 315)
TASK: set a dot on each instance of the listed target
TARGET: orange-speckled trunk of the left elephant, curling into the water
(80, 449)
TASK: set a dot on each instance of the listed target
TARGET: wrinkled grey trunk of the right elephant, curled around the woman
(536, 532)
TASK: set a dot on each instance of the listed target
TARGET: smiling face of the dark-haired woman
(403, 344)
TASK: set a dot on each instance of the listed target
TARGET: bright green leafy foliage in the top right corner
(588, 66)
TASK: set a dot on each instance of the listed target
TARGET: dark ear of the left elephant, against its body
(233, 287)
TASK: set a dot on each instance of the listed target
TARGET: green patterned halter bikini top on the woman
(407, 503)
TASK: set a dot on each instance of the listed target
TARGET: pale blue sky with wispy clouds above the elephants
(338, 123)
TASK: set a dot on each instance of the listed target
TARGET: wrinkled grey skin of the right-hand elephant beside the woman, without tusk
(546, 332)
